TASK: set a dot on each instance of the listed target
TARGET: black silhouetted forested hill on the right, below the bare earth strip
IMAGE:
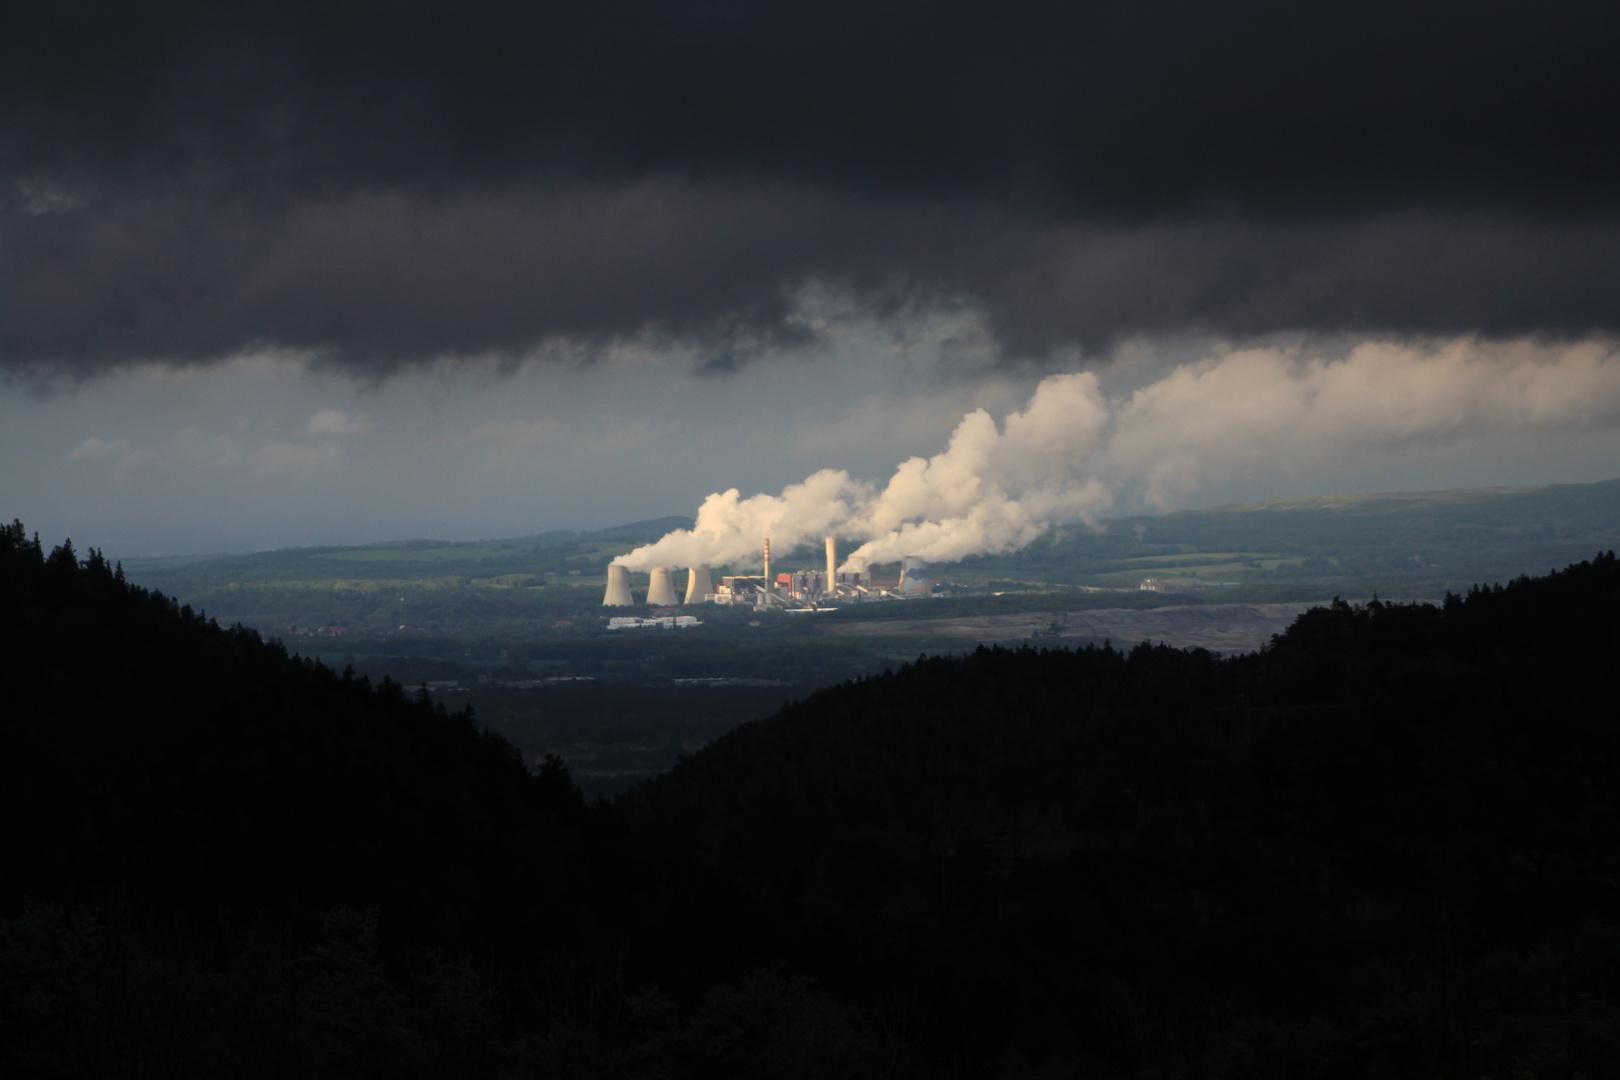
(1384, 846)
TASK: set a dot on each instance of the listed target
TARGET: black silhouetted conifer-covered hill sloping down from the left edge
(226, 861)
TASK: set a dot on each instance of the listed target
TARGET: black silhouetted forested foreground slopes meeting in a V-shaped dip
(1386, 846)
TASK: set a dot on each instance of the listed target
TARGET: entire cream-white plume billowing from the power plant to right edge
(1073, 454)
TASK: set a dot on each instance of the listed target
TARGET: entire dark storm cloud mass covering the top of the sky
(394, 182)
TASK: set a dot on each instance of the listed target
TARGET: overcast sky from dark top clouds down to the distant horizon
(286, 274)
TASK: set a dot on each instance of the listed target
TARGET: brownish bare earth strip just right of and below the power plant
(1216, 627)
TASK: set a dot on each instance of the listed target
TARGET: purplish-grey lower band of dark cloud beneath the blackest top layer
(386, 283)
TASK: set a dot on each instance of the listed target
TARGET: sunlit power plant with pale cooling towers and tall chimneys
(796, 592)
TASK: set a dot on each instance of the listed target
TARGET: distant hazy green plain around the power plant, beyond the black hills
(531, 608)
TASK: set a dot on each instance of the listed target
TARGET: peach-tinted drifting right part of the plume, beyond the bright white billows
(1279, 412)
